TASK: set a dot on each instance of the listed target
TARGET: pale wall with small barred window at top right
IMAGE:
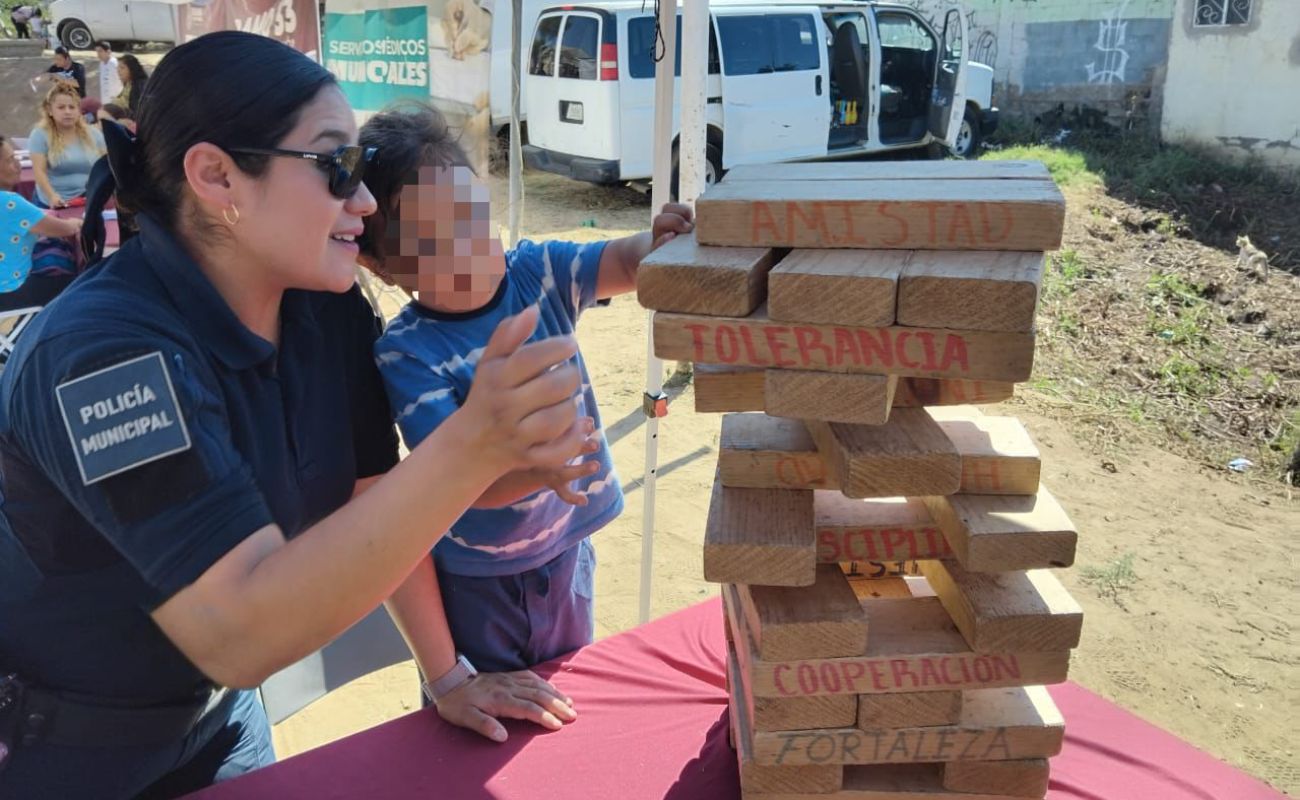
(1237, 88)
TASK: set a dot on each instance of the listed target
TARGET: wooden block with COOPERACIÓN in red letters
(913, 648)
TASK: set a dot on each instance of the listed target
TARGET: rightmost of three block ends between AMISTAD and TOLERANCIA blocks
(970, 291)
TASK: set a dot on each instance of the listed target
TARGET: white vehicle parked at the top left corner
(80, 24)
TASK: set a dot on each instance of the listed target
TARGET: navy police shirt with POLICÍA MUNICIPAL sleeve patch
(145, 433)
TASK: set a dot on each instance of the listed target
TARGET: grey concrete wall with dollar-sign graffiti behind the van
(1102, 54)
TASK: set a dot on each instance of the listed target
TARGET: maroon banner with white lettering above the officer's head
(296, 23)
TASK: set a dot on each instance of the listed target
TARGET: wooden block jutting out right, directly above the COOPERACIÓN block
(1008, 612)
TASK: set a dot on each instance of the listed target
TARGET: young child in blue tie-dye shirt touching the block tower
(510, 586)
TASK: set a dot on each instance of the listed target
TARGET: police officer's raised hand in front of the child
(522, 410)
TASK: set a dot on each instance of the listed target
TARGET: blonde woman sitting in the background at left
(63, 149)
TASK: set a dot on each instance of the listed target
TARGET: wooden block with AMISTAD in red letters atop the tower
(883, 215)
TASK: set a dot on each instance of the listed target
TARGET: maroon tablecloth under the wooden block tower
(653, 724)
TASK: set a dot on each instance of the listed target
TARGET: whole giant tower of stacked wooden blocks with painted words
(885, 547)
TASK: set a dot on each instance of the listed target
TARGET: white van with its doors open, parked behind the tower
(787, 81)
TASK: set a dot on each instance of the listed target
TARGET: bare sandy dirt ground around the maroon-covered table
(1197, 637)
